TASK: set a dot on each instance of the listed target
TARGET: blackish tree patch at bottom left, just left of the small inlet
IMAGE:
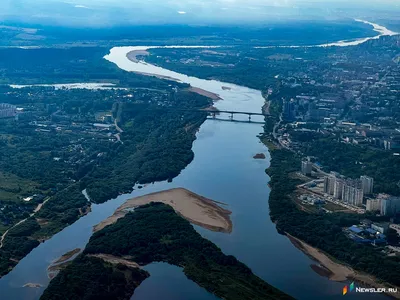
(90, 278)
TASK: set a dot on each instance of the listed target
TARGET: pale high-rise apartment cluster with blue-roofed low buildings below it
(334, 192)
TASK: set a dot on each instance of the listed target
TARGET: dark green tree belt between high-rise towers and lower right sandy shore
(323, 231)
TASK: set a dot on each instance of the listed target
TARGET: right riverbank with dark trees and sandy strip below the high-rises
(308, 230)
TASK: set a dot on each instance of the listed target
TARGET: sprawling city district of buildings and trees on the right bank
(344, 119)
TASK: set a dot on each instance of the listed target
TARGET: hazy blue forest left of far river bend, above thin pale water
(67, 65)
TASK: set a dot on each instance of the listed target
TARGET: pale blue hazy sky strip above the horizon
(105, 13)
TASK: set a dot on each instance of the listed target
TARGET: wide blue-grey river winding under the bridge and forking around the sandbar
(224, 170)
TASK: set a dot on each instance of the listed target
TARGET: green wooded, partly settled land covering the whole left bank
(57, 164)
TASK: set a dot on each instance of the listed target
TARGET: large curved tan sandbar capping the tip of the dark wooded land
(194, 208)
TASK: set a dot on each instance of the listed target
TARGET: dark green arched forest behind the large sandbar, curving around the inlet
(155, 233)
